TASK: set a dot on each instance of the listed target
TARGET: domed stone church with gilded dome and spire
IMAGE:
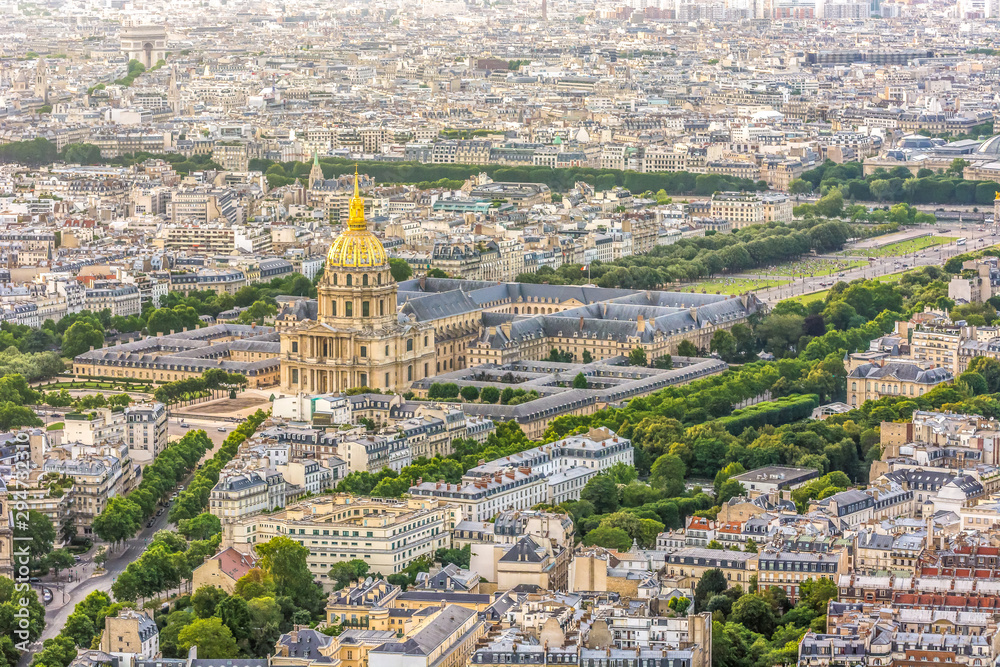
(358, 339)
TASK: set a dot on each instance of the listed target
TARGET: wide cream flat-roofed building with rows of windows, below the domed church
(386, 534)
